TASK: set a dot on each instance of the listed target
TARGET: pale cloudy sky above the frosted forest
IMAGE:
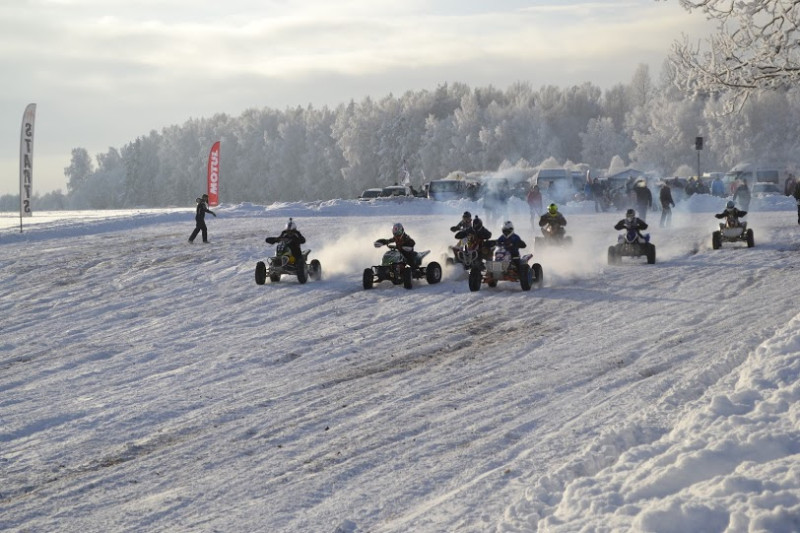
(103, 72)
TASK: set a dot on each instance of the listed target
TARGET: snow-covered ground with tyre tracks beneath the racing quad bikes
(147, 384)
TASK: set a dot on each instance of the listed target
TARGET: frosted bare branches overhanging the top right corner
(755, 47)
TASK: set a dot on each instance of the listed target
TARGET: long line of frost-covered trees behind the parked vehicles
(308, 153)
